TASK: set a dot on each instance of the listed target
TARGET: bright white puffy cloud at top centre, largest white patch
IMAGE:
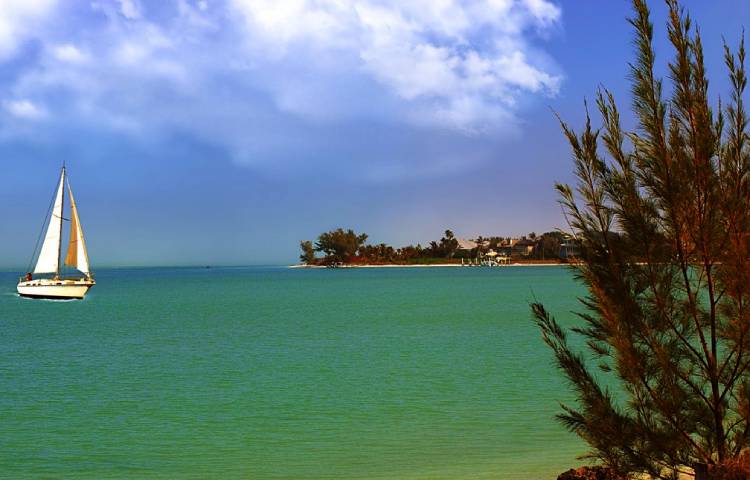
(469, 60)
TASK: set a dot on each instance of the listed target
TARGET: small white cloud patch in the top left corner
(19, 19)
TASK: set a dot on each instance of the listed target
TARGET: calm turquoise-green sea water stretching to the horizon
(276, 373)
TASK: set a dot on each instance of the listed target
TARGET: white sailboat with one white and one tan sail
(49, 259)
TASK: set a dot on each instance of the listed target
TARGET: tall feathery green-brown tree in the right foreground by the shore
(663, 216)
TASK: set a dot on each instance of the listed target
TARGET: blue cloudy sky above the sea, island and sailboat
(225, 131)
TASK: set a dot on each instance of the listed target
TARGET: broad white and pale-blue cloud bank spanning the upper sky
(277, 83)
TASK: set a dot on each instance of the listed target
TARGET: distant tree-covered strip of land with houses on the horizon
(341, 248)
